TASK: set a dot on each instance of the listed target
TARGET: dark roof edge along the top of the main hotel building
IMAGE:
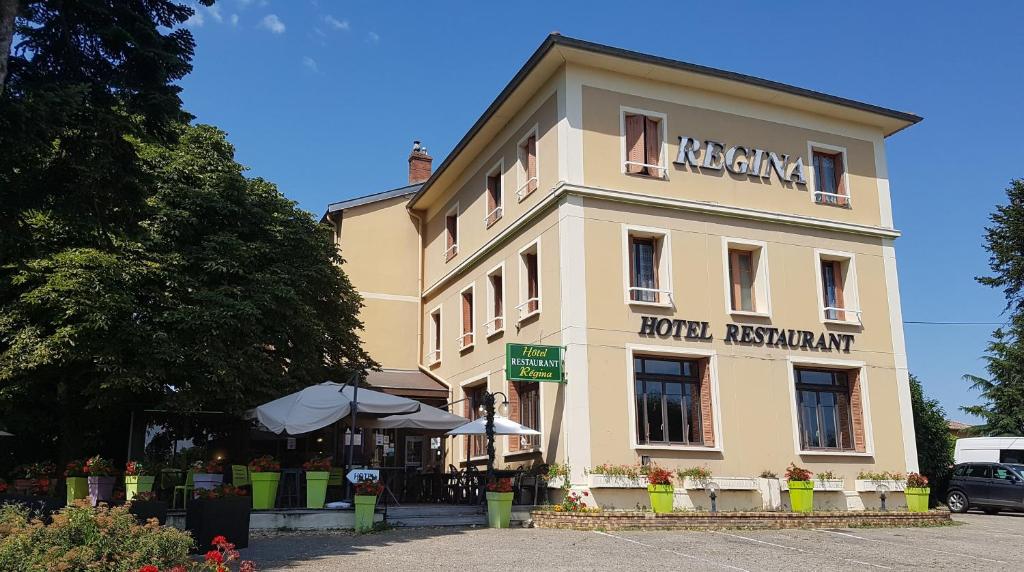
(557, 39)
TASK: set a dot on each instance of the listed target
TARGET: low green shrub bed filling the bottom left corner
(86, 539)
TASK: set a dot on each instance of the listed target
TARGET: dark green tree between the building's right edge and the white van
(934, 442)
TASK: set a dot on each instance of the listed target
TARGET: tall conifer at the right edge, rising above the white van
(1003, 390)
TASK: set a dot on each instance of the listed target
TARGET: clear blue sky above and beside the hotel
(325, 98)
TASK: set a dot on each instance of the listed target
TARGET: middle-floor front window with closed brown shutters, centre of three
(747, 277)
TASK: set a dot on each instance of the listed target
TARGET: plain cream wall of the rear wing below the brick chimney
(380, 245)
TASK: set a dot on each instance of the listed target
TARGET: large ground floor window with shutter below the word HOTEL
(672, 402)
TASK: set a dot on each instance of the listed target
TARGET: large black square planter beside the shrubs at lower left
(225, 511)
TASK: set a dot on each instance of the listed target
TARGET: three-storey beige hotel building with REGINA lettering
(713, 251)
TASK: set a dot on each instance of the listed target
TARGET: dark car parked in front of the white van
(990, 487)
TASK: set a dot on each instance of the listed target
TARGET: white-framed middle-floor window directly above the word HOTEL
(648, 263)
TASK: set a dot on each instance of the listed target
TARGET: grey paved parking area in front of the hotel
(980, 542)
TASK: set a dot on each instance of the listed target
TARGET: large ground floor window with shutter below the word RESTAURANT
(826, 410)
